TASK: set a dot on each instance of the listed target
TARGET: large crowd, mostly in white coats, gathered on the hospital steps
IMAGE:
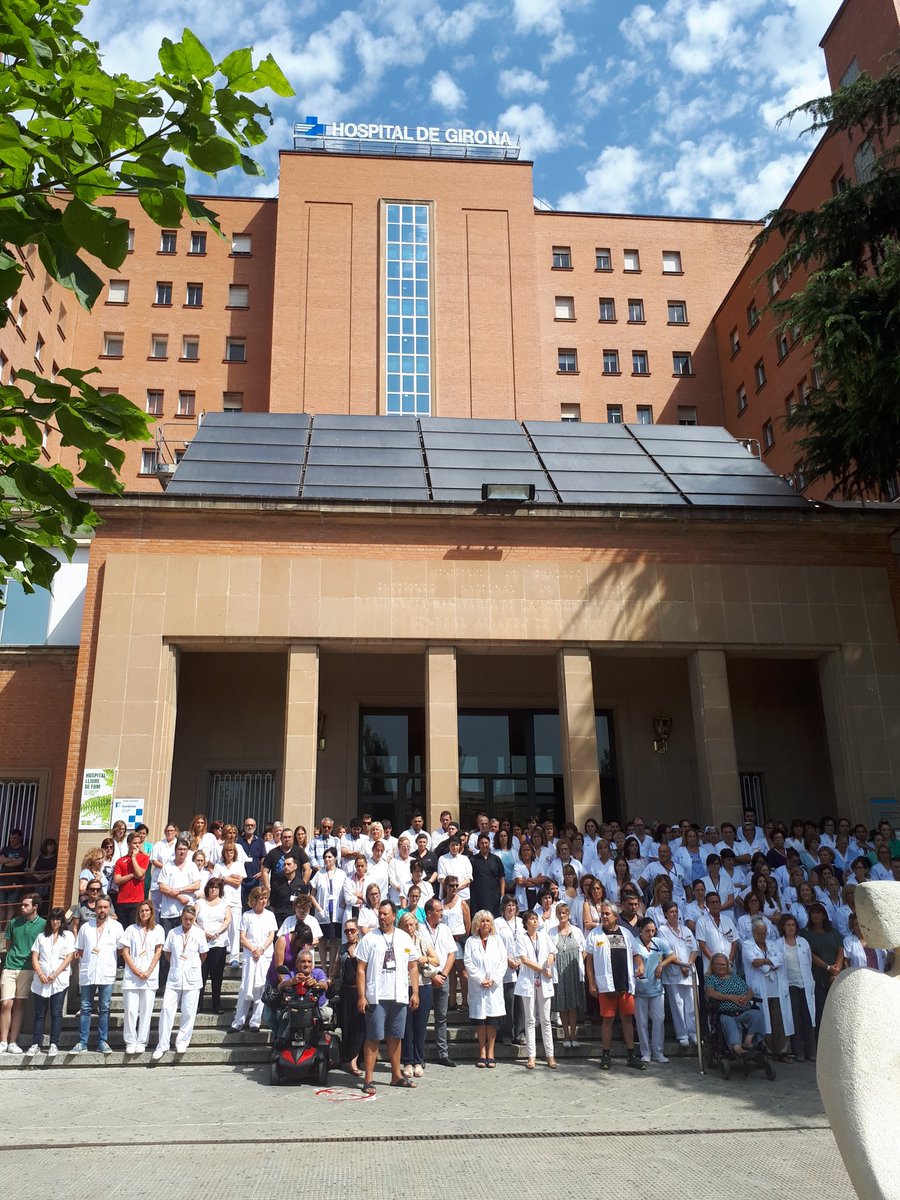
(523, 928)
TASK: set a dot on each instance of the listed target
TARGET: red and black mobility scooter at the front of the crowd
(305, 1046)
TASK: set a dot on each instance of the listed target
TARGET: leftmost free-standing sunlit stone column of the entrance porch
(302, 718)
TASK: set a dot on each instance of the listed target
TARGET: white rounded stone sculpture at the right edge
(859, 1057)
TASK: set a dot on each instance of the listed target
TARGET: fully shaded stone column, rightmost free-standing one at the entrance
(715, 737)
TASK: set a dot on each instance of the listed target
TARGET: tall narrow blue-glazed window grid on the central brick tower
(409, 310)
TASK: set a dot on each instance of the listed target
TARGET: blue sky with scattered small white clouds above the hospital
(661, 106)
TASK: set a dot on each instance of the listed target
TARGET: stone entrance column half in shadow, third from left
(578, 729)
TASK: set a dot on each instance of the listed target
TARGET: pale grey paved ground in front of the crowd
(223, 1131)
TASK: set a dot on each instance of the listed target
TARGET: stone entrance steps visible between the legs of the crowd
(215, 1045)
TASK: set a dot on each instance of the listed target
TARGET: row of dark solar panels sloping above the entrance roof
(406, 459)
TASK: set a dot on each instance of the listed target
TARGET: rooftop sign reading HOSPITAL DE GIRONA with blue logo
(379, 139)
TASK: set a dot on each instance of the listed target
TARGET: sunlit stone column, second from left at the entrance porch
(442, 735)
